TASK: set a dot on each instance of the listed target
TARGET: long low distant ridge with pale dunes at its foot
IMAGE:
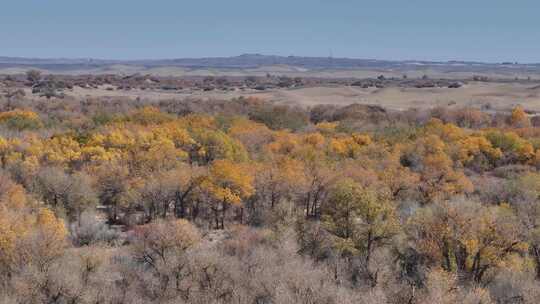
(258, 64)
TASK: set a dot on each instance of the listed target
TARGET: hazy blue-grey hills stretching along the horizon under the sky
(259, 62)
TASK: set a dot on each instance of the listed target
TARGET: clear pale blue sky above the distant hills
(477, 30)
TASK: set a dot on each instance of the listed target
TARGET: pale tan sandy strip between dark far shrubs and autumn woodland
(499, 95)
